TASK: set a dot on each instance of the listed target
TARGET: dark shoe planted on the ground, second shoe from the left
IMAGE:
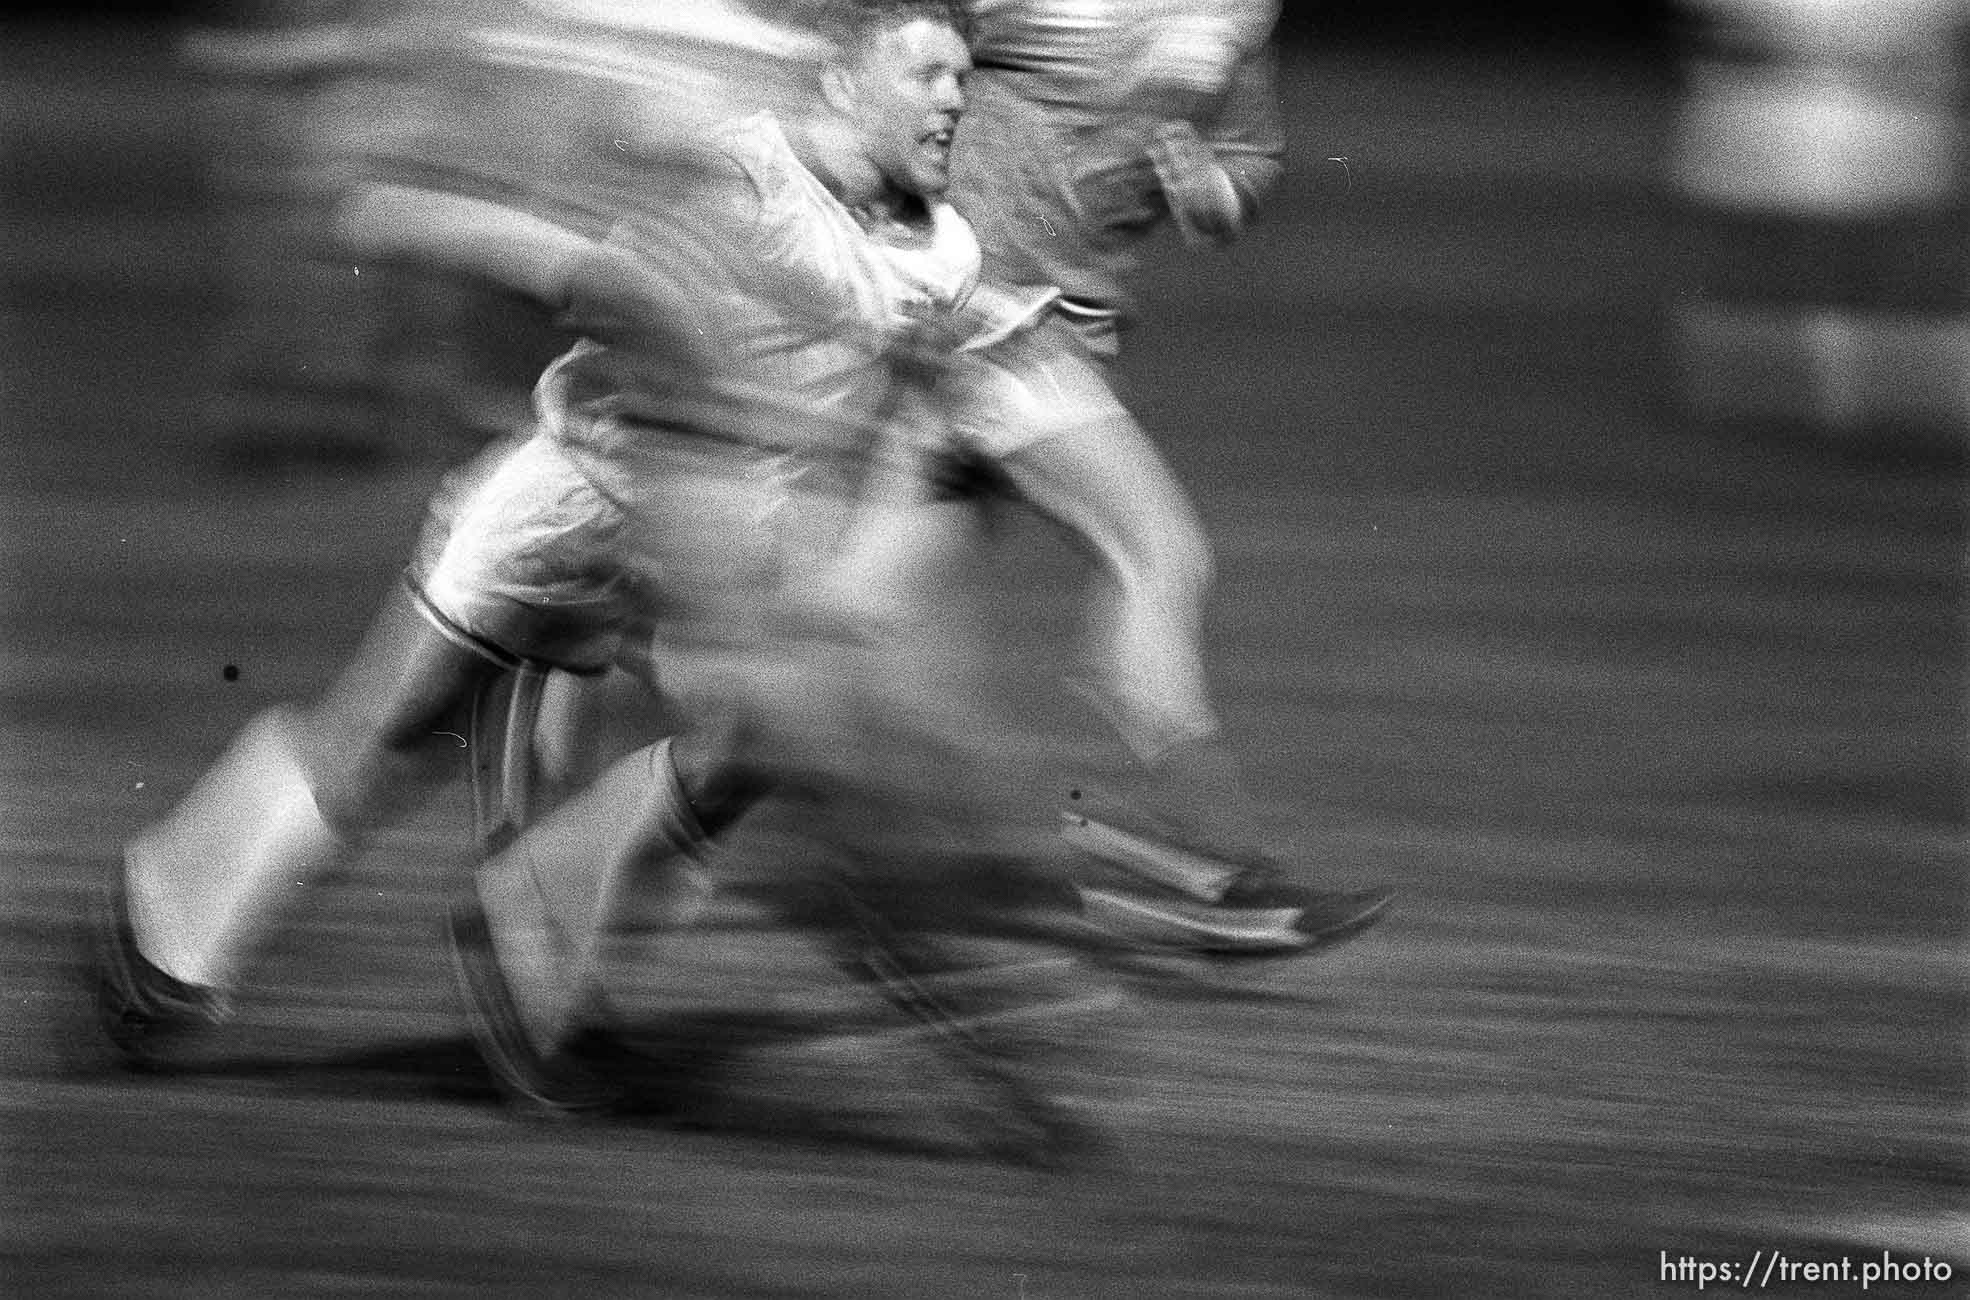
(564, 1082)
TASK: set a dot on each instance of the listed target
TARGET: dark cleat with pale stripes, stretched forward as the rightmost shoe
(1213, 907)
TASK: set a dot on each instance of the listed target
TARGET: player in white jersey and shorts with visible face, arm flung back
(734, 324)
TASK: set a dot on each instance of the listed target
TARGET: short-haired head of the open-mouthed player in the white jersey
(907, 99)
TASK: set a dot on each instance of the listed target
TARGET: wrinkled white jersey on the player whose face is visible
(795, 310)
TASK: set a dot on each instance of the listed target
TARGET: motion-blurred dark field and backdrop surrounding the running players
(1583, 436)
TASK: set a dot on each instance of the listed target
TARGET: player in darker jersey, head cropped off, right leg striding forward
(1094, 125)
